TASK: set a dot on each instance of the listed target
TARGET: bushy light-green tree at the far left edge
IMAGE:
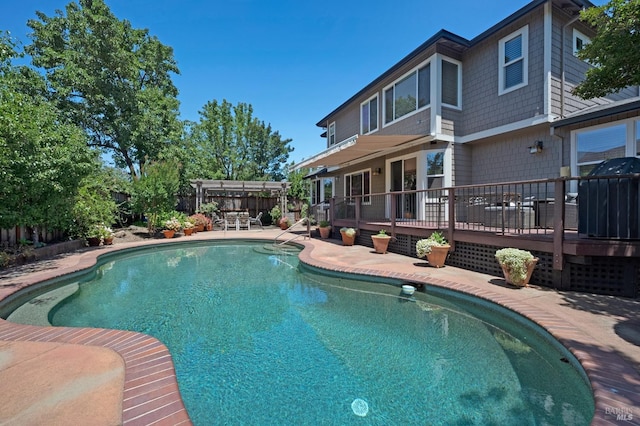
(42, 157)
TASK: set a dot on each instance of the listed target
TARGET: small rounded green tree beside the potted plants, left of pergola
(155, 192)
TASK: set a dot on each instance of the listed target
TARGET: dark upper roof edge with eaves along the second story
(456, 42)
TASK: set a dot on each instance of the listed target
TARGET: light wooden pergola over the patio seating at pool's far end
(232, 188)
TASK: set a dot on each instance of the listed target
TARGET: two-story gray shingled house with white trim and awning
(496, 108)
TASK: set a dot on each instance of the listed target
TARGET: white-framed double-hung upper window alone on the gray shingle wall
(514, 57)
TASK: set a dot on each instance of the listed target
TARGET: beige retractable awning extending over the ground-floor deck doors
(356, 147)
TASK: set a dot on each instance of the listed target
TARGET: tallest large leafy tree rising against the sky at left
(112, 80)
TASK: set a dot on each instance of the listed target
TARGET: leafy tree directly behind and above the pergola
(230, 143)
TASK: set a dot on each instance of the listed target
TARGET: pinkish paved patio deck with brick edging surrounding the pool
(105, 377)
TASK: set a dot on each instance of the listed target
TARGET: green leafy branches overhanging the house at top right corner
(614, 51)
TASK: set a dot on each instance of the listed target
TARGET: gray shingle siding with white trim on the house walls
(504, 157)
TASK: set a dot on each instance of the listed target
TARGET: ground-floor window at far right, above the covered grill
(596, 145)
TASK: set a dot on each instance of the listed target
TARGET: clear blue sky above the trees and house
(293, 60)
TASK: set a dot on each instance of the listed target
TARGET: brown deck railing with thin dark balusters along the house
(606, 206)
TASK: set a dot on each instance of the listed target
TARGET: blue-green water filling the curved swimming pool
(258, 339)
